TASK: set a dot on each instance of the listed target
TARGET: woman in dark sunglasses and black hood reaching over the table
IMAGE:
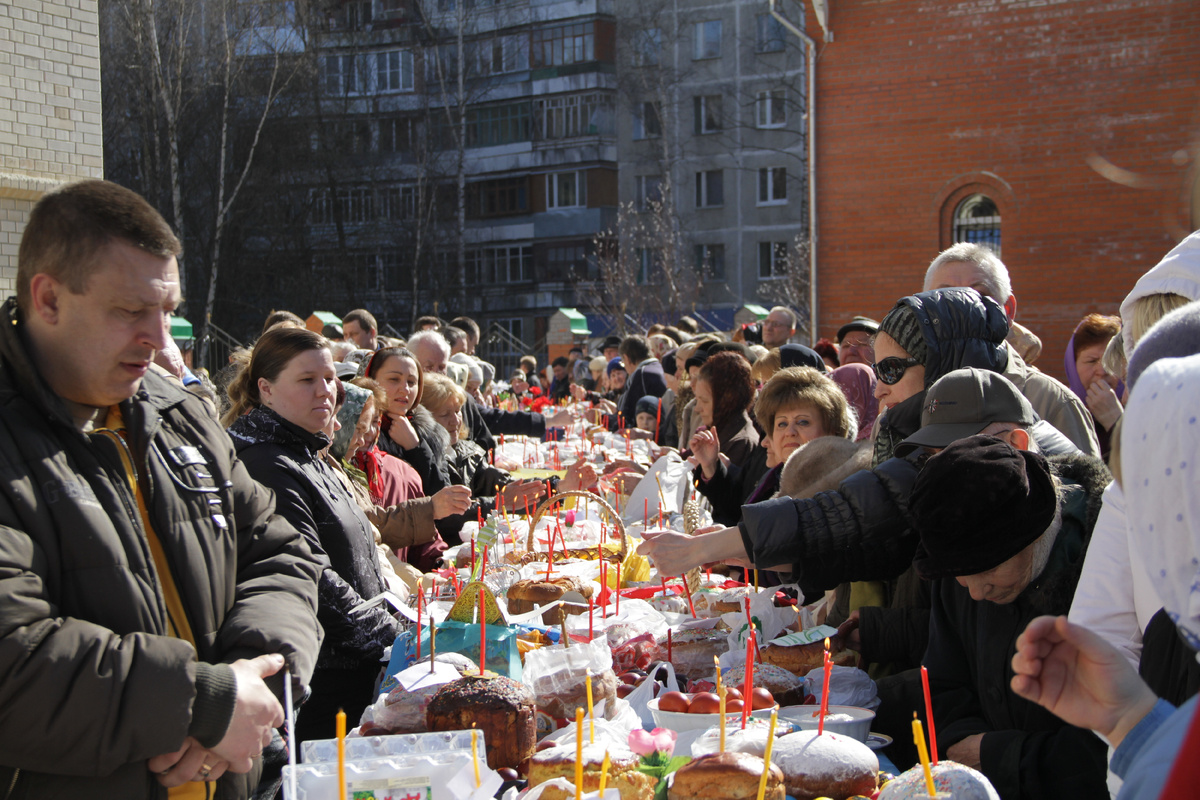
(859, 533)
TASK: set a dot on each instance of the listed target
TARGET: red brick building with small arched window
(1079, 119)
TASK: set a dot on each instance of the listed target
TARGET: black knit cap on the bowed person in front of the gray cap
(977, 504)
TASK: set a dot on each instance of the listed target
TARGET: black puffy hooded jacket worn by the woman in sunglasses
(861, 532)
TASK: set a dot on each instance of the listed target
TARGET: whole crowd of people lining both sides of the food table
(173, 550)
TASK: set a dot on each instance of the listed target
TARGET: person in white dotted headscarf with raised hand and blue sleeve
(1078, 676)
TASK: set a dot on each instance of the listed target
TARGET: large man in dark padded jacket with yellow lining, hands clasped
(147, 587)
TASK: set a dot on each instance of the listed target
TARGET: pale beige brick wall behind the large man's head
(51, 128)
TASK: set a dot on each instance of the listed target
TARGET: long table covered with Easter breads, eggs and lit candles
(550, 660)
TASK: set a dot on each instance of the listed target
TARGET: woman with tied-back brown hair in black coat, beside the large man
(283, 401)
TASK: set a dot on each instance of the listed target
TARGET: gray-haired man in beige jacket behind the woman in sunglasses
(977, 267)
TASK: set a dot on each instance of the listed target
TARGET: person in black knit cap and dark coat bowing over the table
(1007, 550)
